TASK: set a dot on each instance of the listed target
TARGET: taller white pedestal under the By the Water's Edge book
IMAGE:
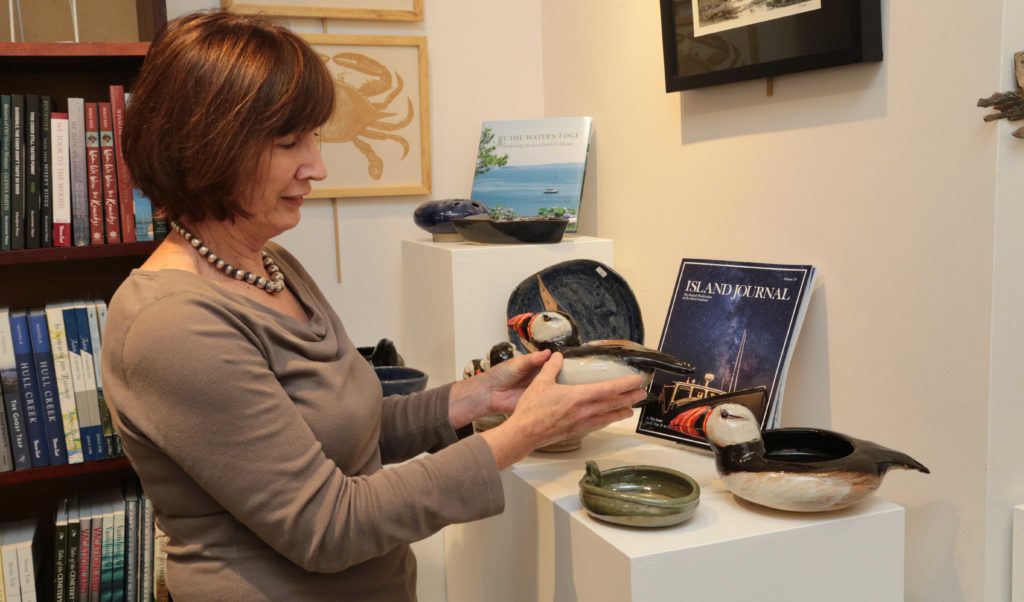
(457, 294)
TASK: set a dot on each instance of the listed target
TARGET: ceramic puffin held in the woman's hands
(595, 361)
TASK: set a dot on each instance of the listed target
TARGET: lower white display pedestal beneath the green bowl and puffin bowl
(545, 547)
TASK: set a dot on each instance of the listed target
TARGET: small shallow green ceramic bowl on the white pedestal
(639, 496)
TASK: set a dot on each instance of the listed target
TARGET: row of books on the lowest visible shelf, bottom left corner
(106, 548)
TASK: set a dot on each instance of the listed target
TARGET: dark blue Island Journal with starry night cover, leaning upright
(738, 323)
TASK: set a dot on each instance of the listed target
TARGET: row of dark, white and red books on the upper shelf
(64, 181)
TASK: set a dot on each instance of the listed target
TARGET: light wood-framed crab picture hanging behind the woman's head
(378, 142)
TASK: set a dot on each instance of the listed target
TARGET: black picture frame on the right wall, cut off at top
(842, 32)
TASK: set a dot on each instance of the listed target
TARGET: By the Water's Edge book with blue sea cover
(536, 167)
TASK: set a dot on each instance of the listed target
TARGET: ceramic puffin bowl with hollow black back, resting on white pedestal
(797, 469)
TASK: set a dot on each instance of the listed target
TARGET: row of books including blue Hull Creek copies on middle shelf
(54, 407)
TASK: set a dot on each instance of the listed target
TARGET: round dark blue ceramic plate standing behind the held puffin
(598, 298)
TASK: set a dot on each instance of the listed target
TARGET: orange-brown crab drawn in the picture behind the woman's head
(361, 114)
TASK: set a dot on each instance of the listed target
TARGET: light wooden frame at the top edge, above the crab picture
(346, 10)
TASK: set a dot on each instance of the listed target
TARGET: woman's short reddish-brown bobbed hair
(215, 92)
